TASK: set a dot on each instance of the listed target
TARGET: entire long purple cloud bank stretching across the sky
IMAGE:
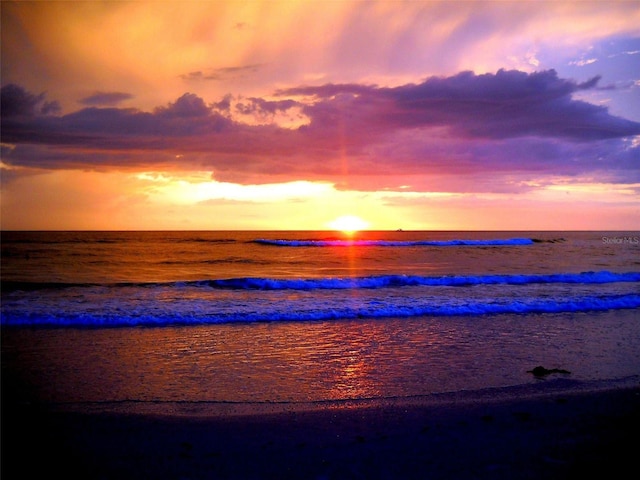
(493, 132)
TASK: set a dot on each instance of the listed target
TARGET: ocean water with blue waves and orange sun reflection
(172, 319)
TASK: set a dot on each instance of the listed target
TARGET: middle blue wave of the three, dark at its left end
(342, 283)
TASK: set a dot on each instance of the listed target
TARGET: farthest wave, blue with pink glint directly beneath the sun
(392, 243)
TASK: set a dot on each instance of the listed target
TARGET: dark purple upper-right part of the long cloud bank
(503, 105)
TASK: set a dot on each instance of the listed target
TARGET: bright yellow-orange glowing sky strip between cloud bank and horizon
(95, 200)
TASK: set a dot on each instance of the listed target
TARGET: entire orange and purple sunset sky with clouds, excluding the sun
(223, 115)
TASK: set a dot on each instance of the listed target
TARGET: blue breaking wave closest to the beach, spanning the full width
(287, 314)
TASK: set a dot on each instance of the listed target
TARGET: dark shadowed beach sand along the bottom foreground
(558, 435)
